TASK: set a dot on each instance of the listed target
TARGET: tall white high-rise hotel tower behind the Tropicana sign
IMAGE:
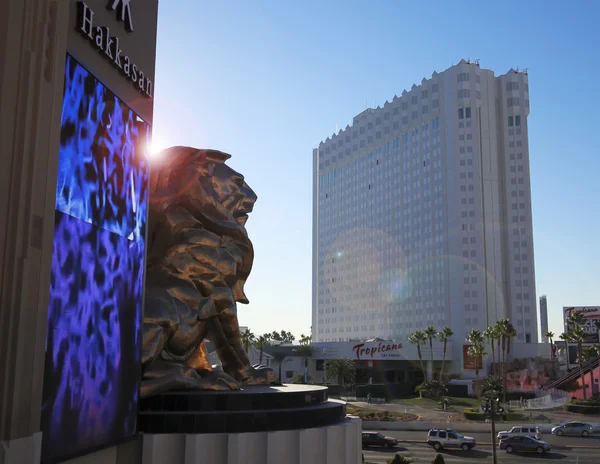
(422, 213)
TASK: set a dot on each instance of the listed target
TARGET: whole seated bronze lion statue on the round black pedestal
(199, 257)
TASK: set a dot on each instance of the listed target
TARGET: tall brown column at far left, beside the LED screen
(33, 44)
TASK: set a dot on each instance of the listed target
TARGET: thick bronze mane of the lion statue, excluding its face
(197, 250)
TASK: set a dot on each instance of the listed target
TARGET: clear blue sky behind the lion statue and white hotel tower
(268, 80)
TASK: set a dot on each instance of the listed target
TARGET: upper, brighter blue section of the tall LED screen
(103, 162)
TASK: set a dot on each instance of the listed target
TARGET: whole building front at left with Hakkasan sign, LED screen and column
(76, 103)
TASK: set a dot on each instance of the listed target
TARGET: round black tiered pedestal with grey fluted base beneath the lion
(295, 424)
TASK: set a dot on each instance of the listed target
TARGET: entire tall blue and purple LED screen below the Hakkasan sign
(93, 341)
